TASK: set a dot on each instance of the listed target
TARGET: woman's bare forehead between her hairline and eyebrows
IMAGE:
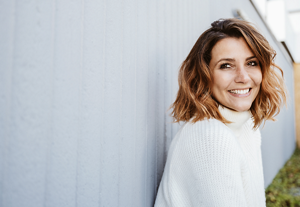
(231, 47)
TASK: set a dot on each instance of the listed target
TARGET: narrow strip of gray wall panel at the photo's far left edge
(6, 61)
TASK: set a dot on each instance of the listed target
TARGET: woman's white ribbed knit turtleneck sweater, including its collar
(212, 164)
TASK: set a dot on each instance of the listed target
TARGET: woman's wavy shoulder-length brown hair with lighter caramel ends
(194, 100)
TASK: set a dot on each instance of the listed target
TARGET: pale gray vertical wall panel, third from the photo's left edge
(62, 169)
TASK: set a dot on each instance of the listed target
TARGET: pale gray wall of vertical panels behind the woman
(85, 87)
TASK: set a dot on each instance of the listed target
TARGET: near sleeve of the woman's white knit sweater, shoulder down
(205, 168)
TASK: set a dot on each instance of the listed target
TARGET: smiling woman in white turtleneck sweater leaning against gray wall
(228, 86)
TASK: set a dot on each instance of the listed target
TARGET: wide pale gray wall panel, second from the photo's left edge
(29, 118)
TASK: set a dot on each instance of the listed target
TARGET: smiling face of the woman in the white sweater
(236, 74)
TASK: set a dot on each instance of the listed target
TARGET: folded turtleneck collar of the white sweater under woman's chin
(237, 119)
